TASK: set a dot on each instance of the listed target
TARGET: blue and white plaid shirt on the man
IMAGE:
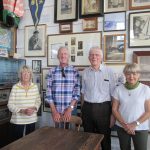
(62, 90)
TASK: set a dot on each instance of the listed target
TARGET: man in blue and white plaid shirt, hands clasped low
(63, 87)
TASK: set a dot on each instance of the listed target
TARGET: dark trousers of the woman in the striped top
(17, 130)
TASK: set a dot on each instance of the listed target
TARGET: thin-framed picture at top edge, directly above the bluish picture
(114, 6)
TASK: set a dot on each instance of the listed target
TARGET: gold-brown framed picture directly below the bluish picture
(114, 48)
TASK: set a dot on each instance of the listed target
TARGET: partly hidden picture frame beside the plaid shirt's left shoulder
(44, 78)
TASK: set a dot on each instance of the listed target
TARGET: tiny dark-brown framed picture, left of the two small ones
(65, 27)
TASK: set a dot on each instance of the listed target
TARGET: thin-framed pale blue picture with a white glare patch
(114, 21)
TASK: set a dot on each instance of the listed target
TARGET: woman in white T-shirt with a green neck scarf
(131, 108)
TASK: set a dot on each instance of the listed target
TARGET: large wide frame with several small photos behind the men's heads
(78, 44)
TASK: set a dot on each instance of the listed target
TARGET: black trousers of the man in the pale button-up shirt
(96, 119)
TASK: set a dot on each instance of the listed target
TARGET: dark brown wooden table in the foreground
(49, 138)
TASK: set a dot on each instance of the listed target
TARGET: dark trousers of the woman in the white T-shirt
(139, 139)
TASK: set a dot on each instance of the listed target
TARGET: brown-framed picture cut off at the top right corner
(139, 4)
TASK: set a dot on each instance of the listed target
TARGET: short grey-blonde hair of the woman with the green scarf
(131, 67)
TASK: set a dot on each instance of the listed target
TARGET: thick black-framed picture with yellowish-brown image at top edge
(90, 8)
